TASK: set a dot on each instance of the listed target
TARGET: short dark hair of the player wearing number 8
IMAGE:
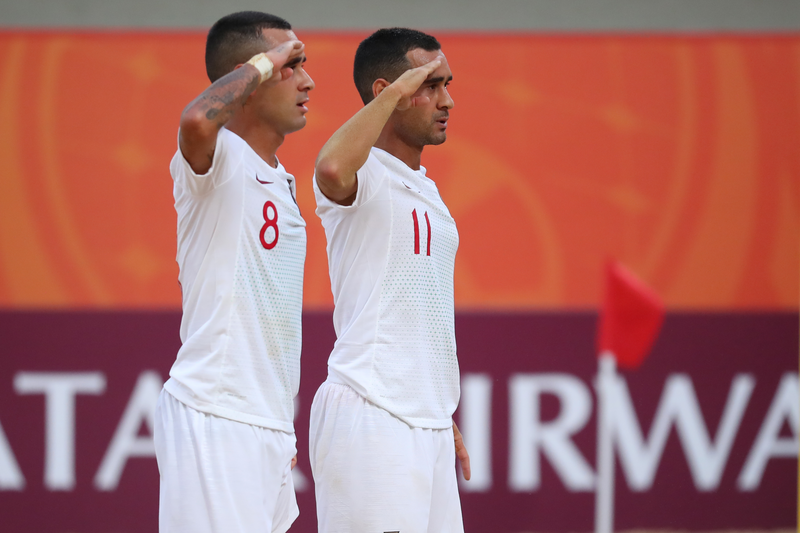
(237, 37)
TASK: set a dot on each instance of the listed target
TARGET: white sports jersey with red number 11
(391, 256)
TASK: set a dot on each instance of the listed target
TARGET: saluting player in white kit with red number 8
(224, 431)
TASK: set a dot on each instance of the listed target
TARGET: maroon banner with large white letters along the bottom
(706, 431)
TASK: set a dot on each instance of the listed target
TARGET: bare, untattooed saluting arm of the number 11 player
(348, 148)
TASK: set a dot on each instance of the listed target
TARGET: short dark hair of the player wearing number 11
(383, 55)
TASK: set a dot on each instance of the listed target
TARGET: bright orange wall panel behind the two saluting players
(680, 156)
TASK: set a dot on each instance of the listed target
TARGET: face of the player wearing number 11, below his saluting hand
(426, 124)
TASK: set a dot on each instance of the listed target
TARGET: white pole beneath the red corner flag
(604, 484)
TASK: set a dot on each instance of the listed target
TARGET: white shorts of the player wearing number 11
(374, 473)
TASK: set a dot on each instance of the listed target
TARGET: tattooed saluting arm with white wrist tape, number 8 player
(208, 113)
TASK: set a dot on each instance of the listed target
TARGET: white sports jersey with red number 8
(241, 250)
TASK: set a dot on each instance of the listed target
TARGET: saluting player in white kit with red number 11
(382, 434)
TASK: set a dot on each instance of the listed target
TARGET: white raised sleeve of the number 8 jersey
(227, 156)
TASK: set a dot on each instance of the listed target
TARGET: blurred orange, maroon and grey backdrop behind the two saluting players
(663, 134)
